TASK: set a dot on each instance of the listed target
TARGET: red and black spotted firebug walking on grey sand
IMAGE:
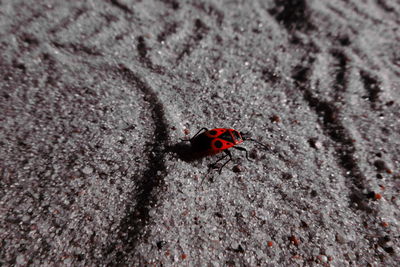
(210, 142)
